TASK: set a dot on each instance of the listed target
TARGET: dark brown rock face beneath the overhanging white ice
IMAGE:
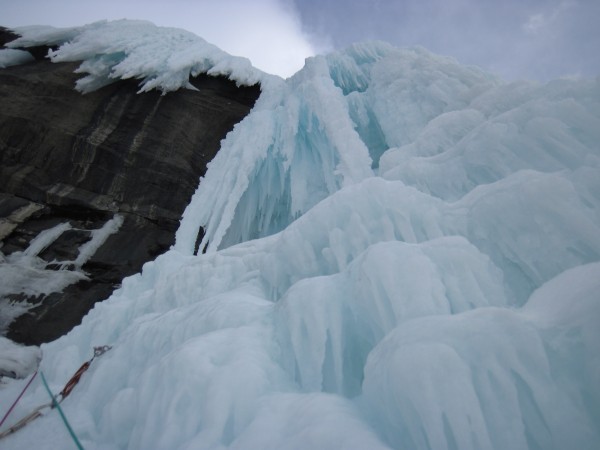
(81, 159)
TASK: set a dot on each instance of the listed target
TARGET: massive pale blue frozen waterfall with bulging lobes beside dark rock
(401, 252)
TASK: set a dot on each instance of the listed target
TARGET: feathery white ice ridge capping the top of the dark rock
(162, 58)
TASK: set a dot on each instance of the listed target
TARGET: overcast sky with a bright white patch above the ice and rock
(535, 39)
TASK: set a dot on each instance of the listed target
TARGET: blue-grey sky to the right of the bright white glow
(538, 39)
